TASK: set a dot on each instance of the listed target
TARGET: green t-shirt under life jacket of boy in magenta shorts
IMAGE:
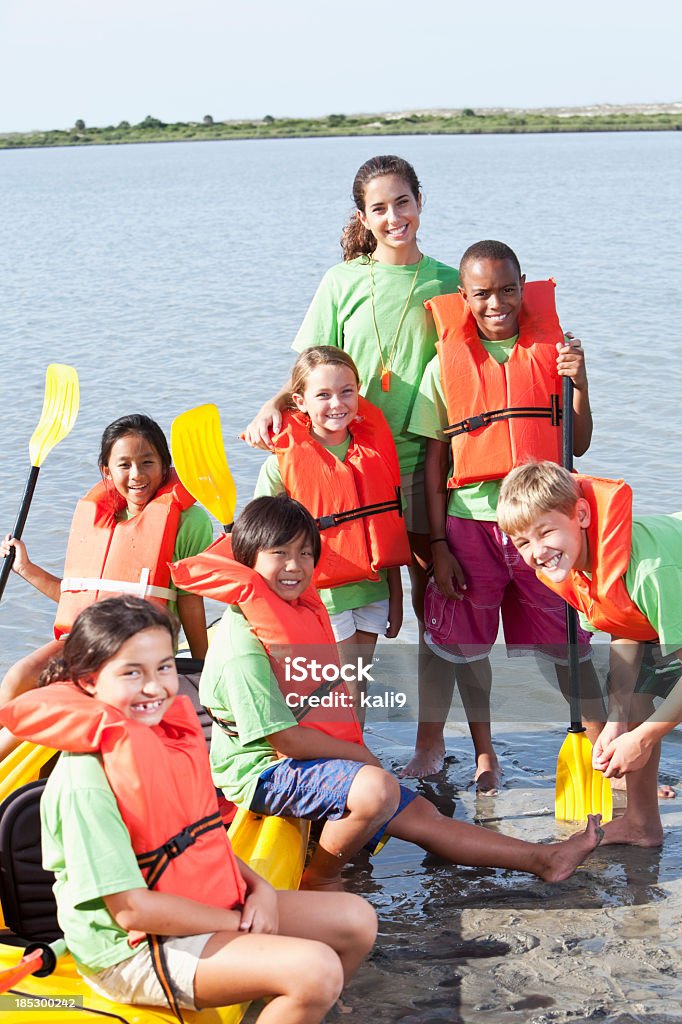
(430, 418)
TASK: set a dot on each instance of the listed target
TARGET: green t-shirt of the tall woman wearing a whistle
(340, 315)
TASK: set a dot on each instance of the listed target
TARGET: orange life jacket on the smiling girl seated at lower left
(161, 779)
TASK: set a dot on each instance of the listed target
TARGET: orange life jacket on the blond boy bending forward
(604, 599)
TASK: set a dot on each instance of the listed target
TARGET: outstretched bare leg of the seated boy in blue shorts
(462, 843)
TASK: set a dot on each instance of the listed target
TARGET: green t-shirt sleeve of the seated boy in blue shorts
(238, 684)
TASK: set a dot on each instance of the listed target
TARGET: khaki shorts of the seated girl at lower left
(135, 980)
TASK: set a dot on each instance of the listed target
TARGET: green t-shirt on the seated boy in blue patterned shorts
(238, 686)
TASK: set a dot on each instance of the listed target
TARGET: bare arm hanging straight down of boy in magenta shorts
(446, 566)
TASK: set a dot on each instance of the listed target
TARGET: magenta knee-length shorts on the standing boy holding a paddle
(498, 581)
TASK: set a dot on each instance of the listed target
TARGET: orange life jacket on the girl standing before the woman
(357, 503)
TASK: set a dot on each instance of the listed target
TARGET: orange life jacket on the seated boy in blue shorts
(288, 630)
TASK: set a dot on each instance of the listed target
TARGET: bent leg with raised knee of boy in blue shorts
(373, 798)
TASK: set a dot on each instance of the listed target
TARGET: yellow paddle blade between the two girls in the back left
(199, 457)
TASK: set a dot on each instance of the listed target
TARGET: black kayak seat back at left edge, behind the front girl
(26, 888)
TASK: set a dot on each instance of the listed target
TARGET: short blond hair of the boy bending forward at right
(532, 490)
